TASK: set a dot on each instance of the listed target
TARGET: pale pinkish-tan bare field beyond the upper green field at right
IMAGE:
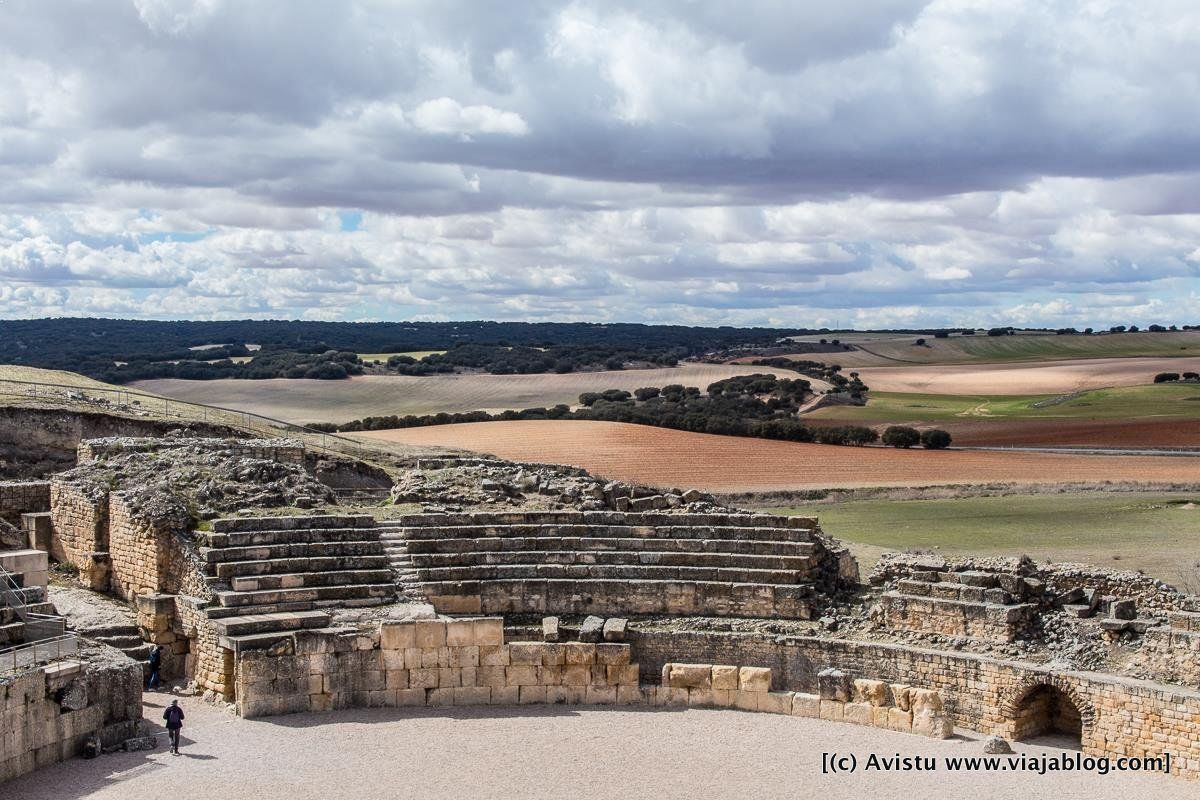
(1045, 378)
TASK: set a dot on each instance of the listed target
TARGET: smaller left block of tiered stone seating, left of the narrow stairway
(273, 576)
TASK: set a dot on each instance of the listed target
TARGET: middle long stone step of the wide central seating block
(578, 544)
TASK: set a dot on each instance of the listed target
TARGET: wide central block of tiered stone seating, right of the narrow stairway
(729, 566)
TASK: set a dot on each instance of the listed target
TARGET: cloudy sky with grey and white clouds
(781, 163)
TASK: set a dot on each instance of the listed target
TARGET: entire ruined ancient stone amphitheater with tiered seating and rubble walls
(561, 590)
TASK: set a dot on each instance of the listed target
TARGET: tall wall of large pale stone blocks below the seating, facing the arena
(428, 663)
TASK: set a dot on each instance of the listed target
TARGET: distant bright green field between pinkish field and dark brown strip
(1178, 401)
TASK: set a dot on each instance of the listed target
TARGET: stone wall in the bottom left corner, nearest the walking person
(49, 713)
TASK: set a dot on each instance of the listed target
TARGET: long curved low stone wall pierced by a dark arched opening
(1119, 717)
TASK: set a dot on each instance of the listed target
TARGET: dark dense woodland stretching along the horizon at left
(123, 351)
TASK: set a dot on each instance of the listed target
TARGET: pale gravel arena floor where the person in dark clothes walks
(544, 753)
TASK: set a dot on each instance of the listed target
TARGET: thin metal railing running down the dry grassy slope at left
(159, 407)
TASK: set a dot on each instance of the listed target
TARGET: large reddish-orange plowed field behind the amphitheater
(664, 458)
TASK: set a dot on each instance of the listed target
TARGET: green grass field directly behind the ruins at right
(1157, 533)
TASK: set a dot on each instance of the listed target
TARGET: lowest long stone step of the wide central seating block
(619, 572)
